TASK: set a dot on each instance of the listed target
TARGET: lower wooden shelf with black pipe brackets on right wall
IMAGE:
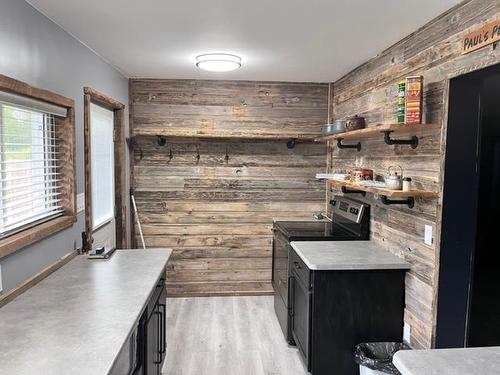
(386, 194)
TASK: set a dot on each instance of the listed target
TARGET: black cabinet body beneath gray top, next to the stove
(332, 311)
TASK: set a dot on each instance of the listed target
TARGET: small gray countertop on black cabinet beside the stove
(346, 255)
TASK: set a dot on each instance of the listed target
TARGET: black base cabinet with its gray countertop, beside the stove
(343, 293)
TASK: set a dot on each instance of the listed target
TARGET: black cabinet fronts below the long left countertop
(145, 349)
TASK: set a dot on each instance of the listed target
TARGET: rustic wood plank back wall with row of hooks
(216, 212)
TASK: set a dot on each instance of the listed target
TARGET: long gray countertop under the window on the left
(77, 319)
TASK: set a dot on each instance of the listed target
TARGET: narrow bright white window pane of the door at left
(102, 159)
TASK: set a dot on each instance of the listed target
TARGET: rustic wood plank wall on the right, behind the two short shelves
(371, 91)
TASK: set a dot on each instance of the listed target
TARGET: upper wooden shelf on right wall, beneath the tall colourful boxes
(374, 131)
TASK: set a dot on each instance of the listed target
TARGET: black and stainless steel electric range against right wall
(350, 222)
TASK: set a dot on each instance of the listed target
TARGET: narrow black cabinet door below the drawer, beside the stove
(300, 320)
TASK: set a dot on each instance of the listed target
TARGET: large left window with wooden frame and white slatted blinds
(37, 164)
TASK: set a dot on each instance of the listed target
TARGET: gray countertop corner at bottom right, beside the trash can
(465, 361)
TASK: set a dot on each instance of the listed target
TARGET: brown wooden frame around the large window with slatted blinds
(66, 133)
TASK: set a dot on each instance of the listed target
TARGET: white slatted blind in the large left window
(30, 189)
